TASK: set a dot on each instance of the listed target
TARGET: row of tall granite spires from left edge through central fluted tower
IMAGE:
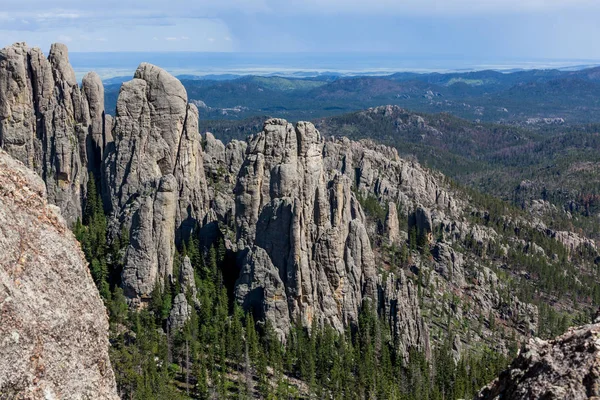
(300, 233)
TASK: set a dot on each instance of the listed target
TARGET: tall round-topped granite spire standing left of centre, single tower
(155, 175)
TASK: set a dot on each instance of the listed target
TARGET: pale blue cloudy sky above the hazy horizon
(558, 29)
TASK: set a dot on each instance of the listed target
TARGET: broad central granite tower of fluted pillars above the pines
(310, 225)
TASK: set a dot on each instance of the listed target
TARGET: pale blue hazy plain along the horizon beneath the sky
(303, 64)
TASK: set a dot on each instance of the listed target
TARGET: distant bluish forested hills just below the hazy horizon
(489, 96)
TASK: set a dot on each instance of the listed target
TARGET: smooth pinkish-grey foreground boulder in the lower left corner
(50, 347)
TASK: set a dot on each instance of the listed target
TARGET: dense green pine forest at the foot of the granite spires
(222, 352)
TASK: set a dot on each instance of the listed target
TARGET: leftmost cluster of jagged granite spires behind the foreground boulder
(48, 123)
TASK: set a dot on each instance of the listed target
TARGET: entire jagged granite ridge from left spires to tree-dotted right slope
(302, 217)
